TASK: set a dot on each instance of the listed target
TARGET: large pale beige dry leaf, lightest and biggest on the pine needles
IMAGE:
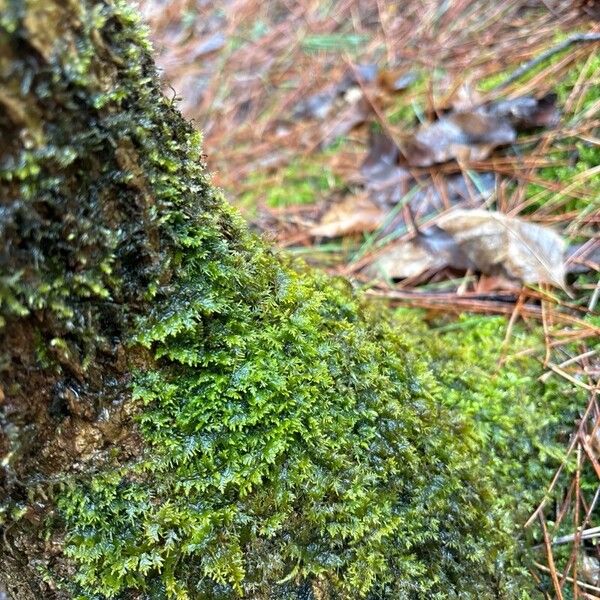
(498, 244)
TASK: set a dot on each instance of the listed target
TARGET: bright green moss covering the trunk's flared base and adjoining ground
(315, 448)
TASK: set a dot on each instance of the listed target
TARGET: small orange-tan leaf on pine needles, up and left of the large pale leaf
(352, 215)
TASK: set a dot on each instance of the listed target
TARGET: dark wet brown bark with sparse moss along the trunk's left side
(79, 113)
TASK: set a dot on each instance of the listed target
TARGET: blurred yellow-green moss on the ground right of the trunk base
(501, 399)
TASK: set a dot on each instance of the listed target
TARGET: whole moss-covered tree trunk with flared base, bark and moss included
(184, 414)
